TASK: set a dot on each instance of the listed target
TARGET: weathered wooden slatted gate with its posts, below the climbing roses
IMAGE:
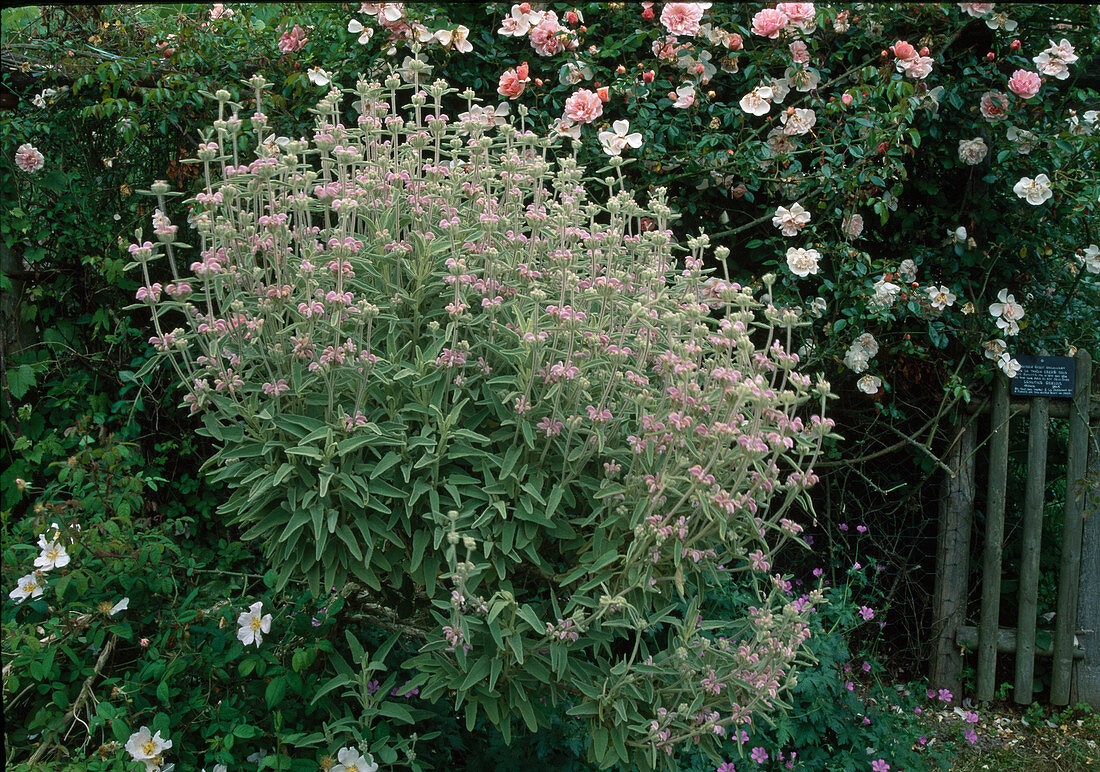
(1074, 644)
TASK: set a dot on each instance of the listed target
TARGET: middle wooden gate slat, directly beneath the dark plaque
(1032, 537)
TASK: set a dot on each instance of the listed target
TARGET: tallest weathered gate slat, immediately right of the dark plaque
(1073, 524)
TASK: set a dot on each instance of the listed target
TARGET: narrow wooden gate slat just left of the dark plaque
(995, 542)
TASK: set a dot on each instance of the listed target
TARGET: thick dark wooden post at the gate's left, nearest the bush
(953, 563)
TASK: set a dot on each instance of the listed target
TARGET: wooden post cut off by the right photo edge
(1086, 683)
